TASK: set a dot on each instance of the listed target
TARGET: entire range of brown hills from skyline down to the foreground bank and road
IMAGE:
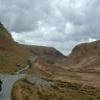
(83, 64)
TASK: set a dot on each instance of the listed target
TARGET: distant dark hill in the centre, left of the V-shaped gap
(48, 54)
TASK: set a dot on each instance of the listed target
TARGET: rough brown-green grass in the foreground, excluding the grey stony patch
(57, 91)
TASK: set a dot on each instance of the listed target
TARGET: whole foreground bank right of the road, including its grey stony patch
(43, 89)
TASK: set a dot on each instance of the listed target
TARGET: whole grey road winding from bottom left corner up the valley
(9, 80)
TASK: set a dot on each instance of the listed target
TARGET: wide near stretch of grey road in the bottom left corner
(8, 81)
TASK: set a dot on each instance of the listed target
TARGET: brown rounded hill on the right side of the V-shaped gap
(86, 56)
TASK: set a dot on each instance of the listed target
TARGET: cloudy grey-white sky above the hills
(58, 23)
